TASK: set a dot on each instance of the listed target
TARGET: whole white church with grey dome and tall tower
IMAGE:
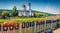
(24, 12)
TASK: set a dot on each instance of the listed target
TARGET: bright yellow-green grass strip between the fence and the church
(21, 20)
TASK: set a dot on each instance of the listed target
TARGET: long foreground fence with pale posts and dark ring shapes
(32, 27)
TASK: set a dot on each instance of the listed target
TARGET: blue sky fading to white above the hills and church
(49, 6)
